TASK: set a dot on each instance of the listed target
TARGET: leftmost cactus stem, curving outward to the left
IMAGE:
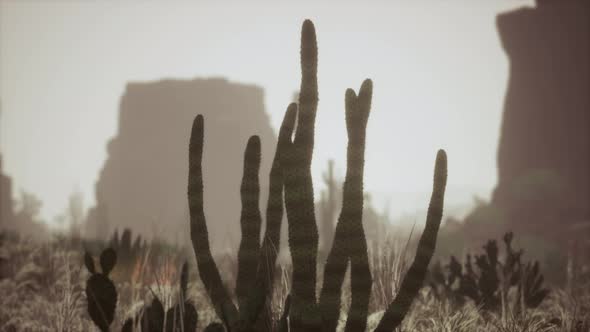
(198, 229)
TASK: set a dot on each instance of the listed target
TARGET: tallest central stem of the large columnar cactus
(299, 201)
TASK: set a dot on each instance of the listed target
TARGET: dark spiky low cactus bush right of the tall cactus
(488, 281)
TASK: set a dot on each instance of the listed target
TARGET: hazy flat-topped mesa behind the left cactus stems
(143, 184)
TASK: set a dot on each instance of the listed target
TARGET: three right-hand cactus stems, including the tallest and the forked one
(349, 244)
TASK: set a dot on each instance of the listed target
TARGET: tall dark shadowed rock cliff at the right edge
(544, 149)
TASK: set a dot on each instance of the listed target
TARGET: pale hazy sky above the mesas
(438, 69)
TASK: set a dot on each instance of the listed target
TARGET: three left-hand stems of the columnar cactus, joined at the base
(256, 264)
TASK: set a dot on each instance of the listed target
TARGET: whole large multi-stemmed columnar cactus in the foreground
(291, 182)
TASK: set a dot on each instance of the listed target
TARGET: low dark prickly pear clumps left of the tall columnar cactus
(102, 302)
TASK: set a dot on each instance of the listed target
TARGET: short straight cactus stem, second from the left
(250, 222)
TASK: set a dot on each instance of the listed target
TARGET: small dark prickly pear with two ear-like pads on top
(100, 290)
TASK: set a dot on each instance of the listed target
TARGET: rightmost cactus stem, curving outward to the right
(415, 276)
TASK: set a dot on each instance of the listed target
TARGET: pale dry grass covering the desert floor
(42, 289)
